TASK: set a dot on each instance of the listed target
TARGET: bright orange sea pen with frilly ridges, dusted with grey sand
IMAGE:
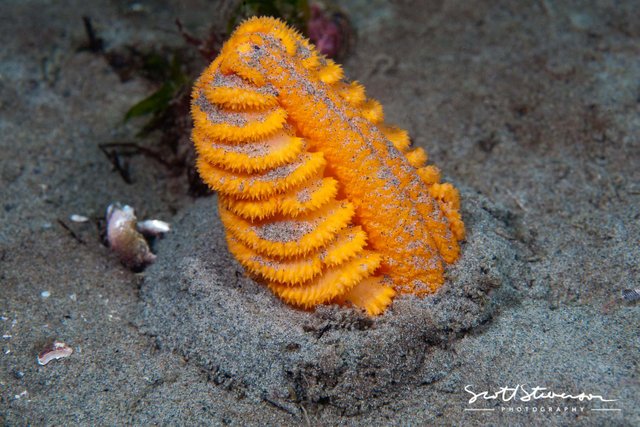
(321, 200)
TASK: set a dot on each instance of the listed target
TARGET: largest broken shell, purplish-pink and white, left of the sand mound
(124, 238)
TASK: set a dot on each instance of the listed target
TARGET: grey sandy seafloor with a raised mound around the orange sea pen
(531, 107)
